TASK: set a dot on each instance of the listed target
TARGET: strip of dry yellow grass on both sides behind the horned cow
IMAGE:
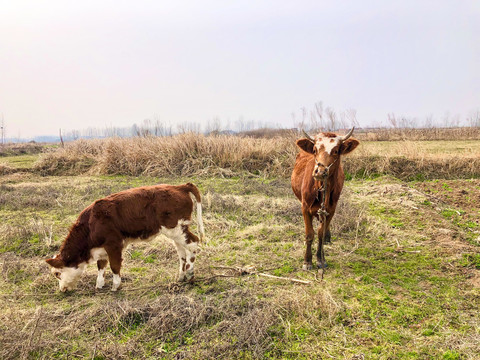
(193, 154)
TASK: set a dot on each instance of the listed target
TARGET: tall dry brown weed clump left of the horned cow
(186, 154)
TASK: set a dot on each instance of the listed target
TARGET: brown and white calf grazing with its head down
(106, 227)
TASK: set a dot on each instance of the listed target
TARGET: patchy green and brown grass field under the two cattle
(402, 283)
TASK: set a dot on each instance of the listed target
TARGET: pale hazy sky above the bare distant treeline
(78, 64)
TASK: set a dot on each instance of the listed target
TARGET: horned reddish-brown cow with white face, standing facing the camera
(319, 160)
